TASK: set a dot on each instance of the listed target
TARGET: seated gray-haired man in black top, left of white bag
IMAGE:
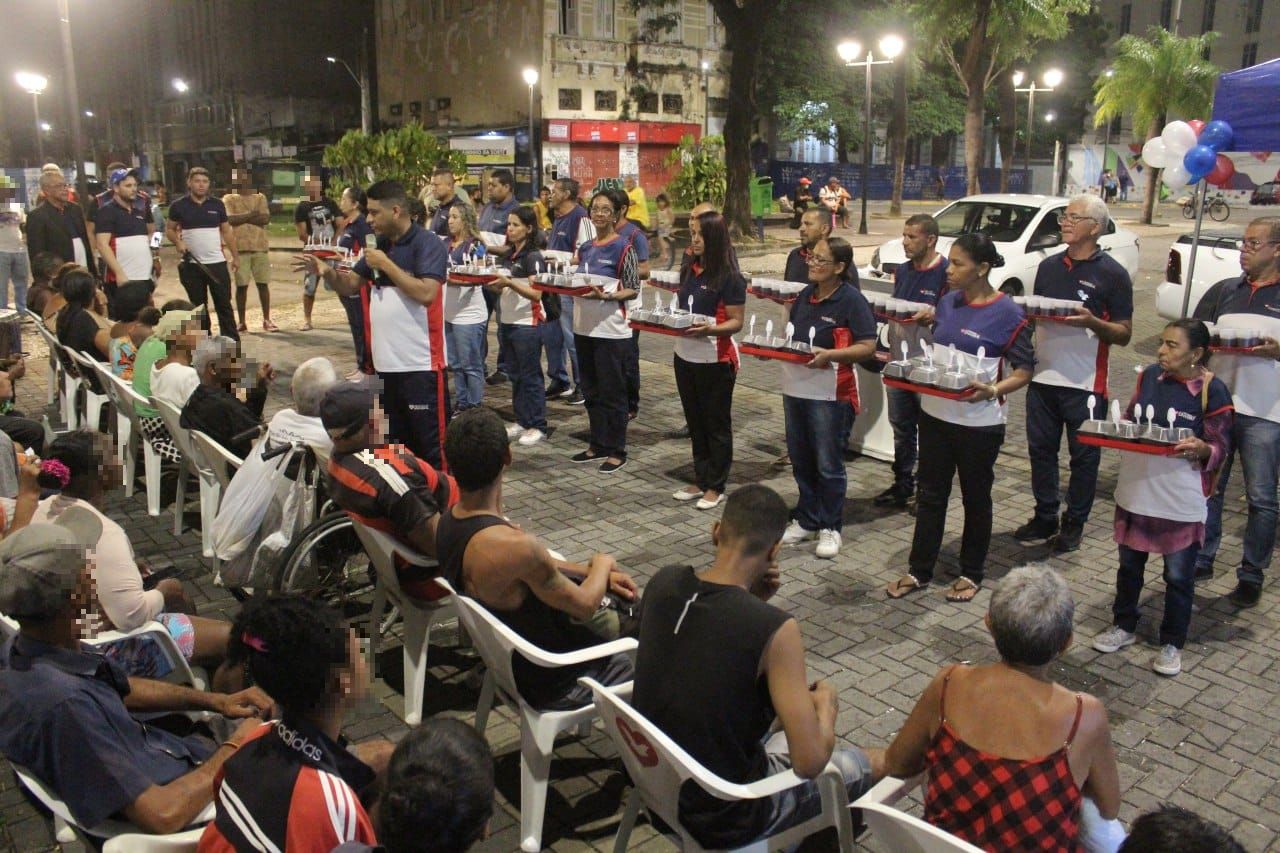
(214, 409)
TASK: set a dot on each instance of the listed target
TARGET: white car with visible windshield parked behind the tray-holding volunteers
(1025, 230)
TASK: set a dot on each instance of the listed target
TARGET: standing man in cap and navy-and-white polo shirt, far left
(124, 235)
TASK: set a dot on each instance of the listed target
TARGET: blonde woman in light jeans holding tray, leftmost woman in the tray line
(467, 317)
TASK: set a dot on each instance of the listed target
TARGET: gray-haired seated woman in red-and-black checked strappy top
(1011, 755)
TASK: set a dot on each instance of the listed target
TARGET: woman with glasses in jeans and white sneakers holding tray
(834, 314)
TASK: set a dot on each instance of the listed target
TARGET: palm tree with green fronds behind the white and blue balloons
(1153, 77)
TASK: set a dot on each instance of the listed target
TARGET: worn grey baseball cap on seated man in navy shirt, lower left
(40, 565)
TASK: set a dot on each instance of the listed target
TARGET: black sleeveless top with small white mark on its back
(714, 704)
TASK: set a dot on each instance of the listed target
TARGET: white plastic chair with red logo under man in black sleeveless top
(659, 768)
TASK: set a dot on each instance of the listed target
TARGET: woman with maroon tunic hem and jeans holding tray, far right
(1162, 500)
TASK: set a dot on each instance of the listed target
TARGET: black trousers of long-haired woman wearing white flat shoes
(707, 398)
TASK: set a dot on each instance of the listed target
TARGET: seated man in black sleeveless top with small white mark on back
(742, 669)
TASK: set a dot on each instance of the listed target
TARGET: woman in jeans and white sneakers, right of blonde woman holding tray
(522, 312)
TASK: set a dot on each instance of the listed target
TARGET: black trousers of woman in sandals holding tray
(948, 450)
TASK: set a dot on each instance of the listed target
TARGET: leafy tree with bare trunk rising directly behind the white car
(993, 35)
